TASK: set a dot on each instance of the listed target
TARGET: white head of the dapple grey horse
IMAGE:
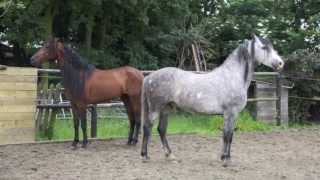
(265, 53)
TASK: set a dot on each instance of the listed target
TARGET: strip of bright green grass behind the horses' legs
(178, 123)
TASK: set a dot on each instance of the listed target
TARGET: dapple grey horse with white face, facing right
(221, 91)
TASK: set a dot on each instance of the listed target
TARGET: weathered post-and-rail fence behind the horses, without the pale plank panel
(50, 106)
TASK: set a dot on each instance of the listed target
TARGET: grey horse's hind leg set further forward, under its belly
(162, 129)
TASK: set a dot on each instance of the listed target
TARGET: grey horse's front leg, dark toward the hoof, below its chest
(229, 121)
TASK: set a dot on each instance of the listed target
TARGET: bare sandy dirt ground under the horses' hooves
(287, 154)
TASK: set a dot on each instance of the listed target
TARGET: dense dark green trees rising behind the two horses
(148, 34)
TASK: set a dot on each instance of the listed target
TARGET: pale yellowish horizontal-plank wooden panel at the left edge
(18, 91)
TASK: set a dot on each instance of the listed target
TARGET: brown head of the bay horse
(50, 51)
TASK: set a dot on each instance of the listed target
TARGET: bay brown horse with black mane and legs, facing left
(84, 84)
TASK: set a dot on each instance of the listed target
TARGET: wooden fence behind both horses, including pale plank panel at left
(22, 110)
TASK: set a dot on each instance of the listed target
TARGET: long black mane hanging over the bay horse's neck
(75, 71)
